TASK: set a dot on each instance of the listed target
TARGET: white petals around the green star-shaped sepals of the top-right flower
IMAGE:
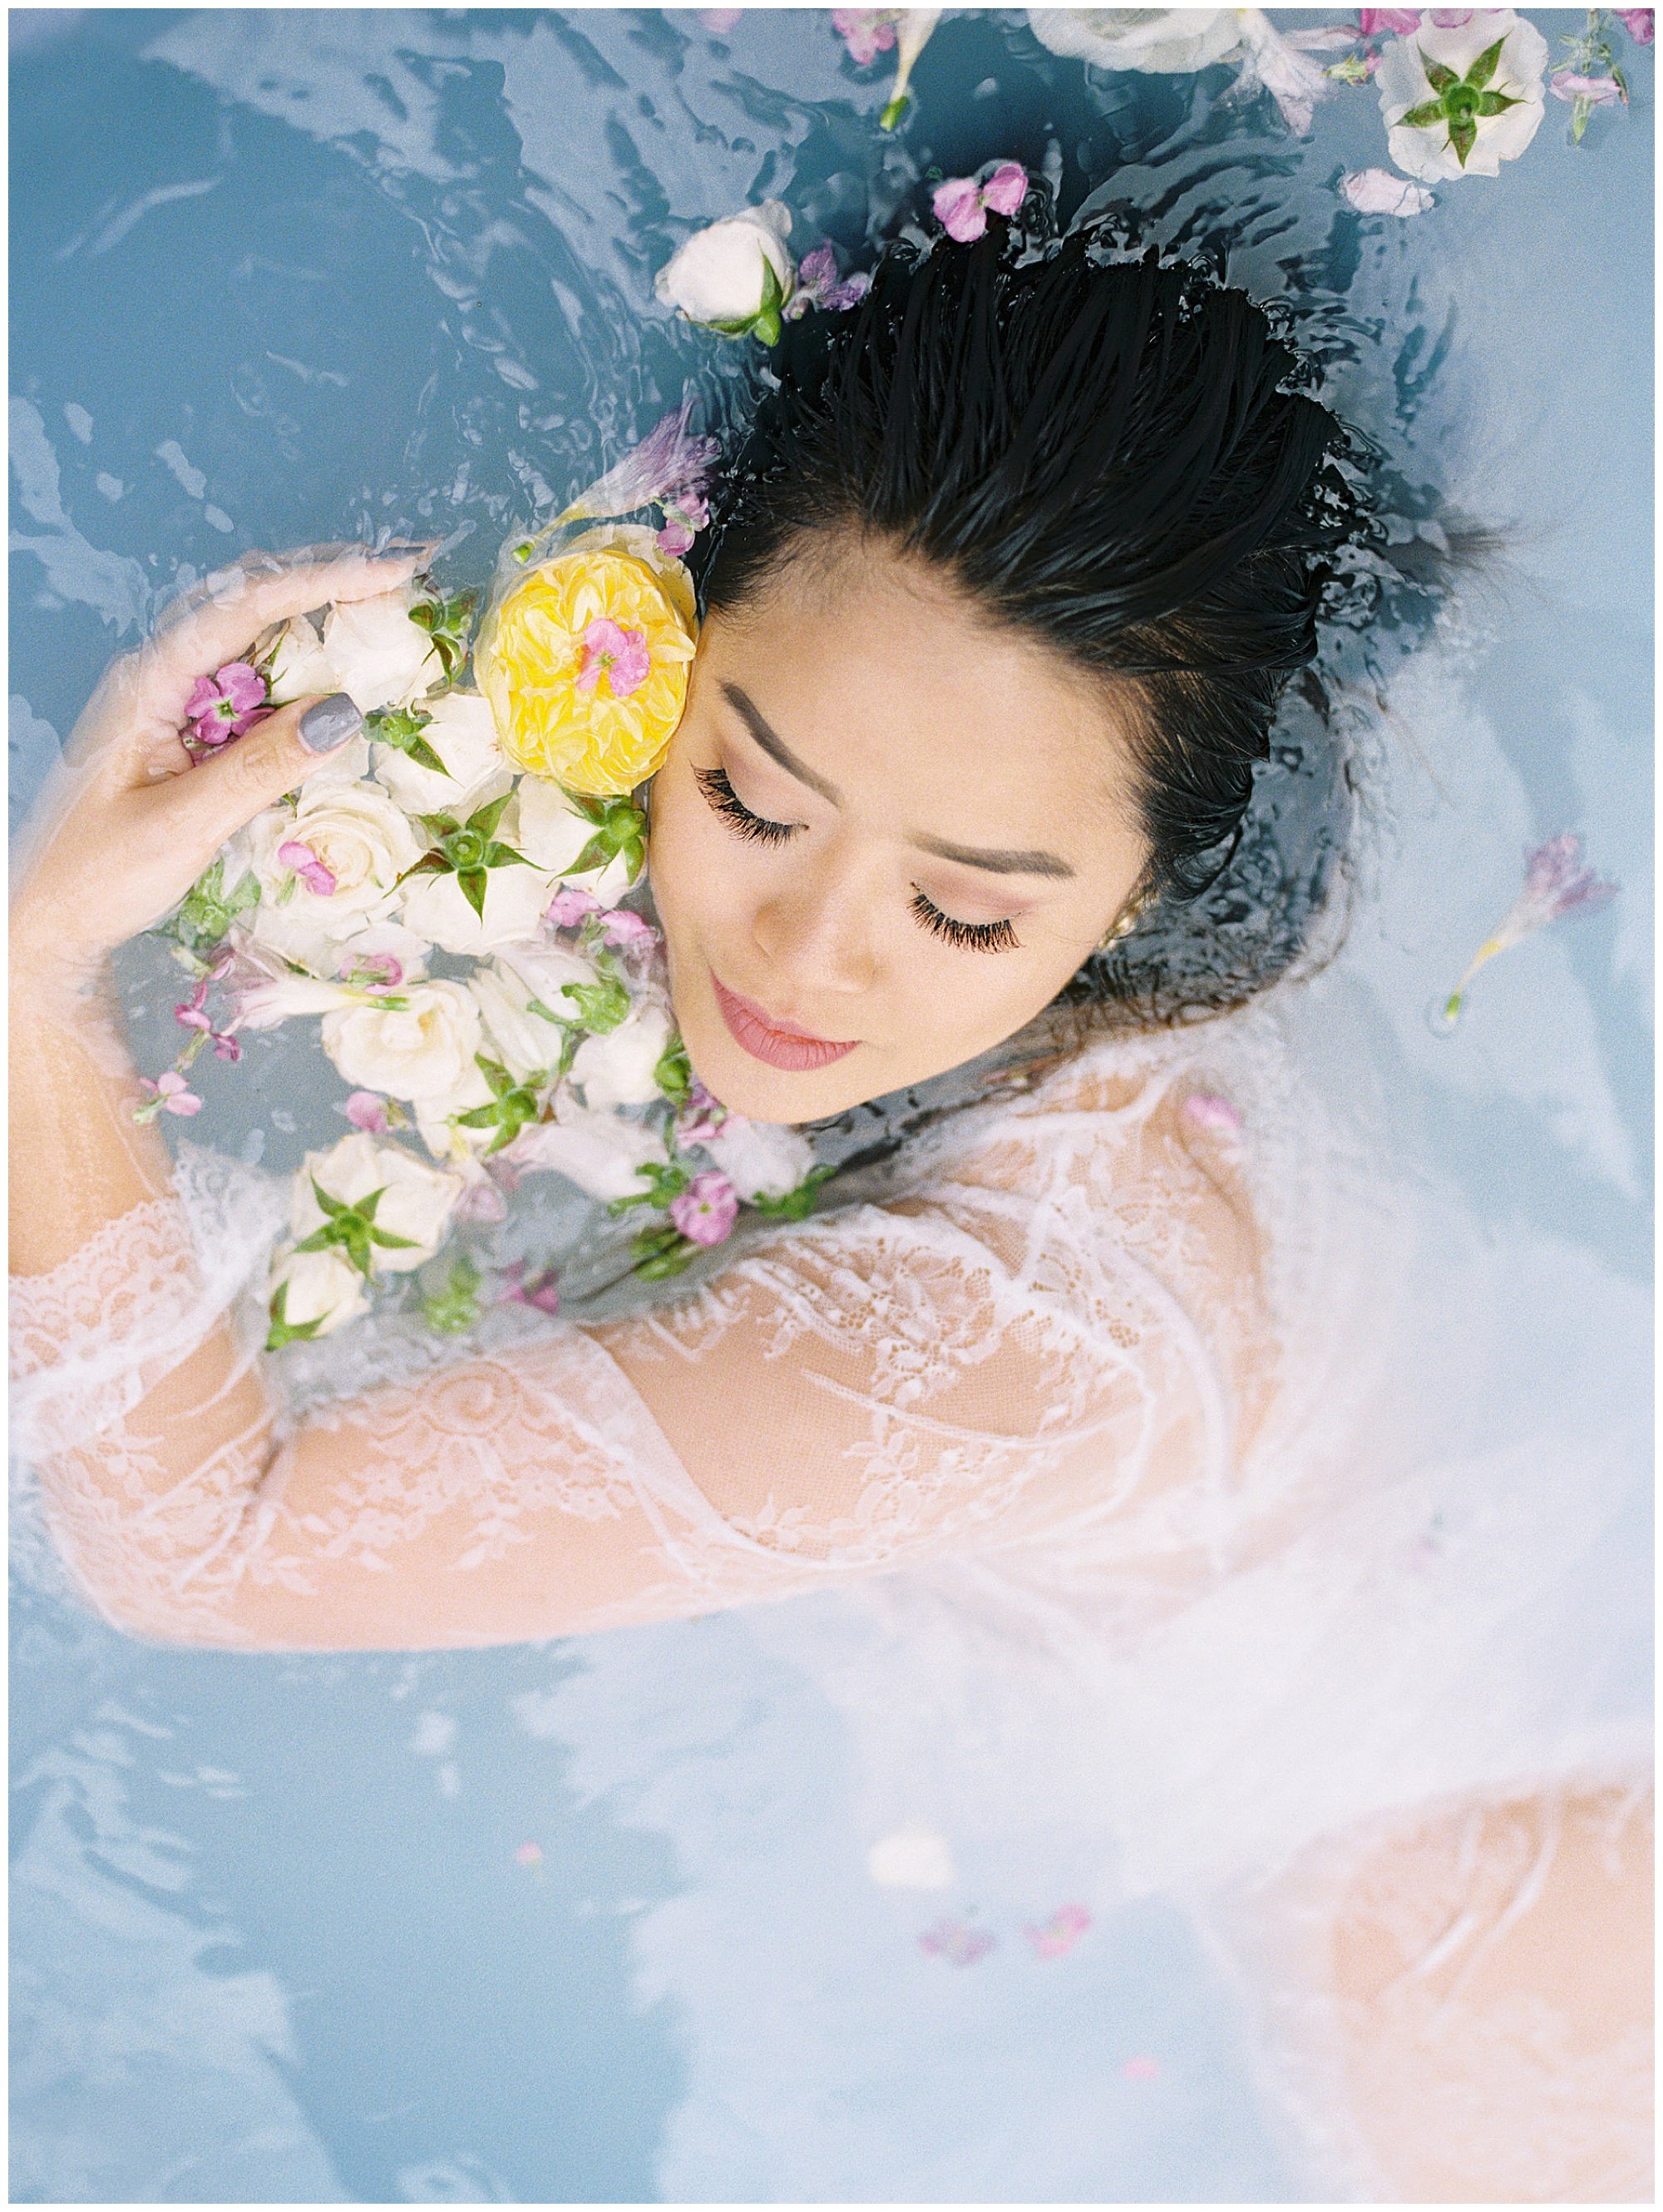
(1427, 152)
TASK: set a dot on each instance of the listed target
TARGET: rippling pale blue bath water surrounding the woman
(280, 1928)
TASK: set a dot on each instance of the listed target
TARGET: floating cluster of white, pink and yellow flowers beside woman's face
(494, 826)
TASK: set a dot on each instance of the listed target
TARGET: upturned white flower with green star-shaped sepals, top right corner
(1467, 101)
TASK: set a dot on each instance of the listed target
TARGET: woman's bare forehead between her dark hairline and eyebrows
(890, 685)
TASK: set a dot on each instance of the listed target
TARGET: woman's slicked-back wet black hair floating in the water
(1118, 461)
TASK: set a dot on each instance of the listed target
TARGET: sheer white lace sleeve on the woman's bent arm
(855, 1395)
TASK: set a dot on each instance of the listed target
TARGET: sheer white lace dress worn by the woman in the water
(1136, 1439)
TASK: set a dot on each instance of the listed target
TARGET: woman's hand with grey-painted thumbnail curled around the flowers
(129, 822)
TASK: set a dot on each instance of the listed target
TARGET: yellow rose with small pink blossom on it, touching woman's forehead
(585, 662)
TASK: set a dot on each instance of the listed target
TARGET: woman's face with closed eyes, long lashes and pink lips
(883, 839)
